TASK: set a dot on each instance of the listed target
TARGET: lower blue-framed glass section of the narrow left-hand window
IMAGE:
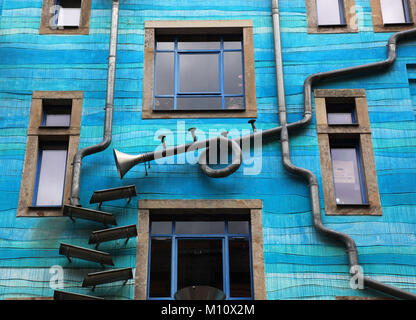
(50, 175)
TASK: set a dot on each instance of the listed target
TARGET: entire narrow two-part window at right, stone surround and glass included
(348, 171)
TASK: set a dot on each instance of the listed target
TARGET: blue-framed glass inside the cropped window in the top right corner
(395, 12)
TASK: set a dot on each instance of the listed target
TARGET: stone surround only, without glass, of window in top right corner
(378, 25)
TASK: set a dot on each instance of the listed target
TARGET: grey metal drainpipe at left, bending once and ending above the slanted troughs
(108, 121)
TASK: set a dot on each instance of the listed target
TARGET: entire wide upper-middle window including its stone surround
(199, 69)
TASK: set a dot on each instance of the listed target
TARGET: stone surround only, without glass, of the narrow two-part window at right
(362, 130)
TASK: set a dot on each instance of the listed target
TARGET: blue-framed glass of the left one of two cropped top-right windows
(330, 13)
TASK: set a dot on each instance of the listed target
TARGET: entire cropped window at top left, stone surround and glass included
(65, 17)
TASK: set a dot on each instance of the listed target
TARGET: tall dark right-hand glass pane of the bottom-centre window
(240, 279)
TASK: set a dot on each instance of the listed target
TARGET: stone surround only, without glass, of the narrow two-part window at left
(35, 134)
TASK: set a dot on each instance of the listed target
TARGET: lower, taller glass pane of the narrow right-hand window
(346, 176)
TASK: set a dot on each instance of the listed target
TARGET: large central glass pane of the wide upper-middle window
(199, 73)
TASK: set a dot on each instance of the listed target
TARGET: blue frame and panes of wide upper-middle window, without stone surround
(199, 72)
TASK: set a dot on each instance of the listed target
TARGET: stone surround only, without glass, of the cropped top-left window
(84, 26)
